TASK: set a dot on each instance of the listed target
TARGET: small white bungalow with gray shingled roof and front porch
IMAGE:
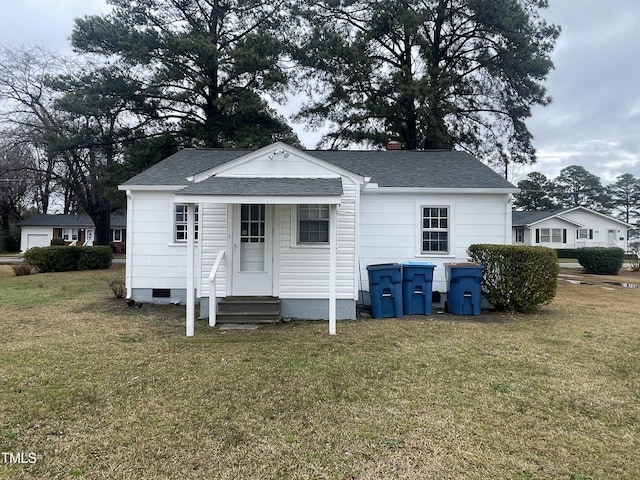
(300, 227)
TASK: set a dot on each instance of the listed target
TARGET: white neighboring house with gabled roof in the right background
(575, 227)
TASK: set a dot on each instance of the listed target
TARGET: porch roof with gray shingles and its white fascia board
(262, 190)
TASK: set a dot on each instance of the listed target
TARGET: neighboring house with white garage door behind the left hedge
(39, 230)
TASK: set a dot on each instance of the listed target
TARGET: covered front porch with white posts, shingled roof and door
(254, 235)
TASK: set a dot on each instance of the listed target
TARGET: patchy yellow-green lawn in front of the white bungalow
(93, 389)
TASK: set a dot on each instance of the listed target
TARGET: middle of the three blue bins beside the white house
(417, 279)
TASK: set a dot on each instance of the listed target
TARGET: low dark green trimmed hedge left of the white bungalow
(65, 259)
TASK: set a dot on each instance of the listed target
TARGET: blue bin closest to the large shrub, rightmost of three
(464, 296)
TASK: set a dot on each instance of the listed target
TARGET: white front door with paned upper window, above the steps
(252, 250)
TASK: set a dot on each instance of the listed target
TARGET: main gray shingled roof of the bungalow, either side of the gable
(396, 168)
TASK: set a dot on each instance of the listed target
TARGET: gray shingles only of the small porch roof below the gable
(266, 186)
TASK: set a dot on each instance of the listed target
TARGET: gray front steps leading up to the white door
(249, 310)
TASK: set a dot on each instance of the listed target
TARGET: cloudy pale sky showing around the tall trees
(594, 120)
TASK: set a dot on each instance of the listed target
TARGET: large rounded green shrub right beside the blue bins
(517, 278)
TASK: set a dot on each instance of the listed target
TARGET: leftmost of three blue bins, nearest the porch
(385, 289)
